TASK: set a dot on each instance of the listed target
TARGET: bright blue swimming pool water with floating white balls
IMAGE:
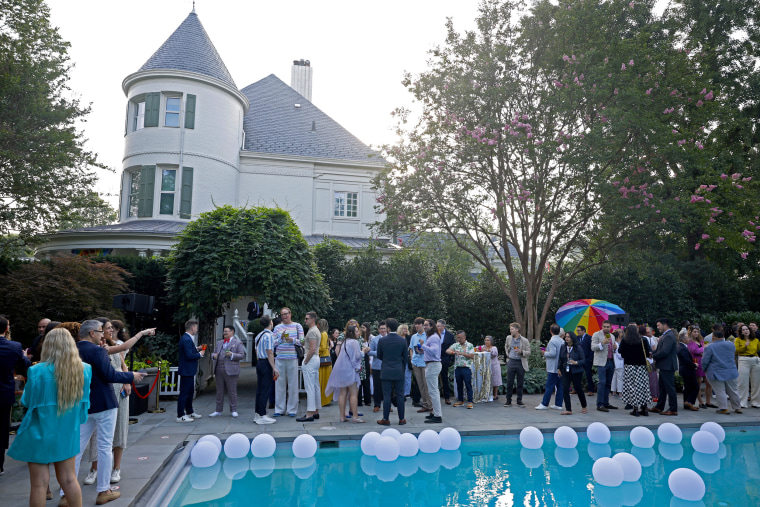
(494, 471)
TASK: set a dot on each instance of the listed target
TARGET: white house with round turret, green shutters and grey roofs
(193, 140)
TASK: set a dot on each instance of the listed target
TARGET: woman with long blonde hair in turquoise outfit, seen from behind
(57, 396)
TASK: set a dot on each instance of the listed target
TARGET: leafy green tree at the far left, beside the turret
(44, 164)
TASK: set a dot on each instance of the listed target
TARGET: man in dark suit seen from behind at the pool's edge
(392, 351)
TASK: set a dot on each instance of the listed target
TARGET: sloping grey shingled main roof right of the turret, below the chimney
(274, 125)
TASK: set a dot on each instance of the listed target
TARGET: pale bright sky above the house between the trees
(359, 52)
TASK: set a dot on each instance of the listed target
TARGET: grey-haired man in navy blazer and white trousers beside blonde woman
(103, 404)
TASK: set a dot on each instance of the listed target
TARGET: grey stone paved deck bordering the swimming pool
(154, 440)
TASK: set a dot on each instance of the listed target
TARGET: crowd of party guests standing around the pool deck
(77, 382)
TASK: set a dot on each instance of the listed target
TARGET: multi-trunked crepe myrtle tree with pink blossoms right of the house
(558, 129)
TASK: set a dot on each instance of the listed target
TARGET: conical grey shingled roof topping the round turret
(189, 48)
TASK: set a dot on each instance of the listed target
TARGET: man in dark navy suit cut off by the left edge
(12, 358)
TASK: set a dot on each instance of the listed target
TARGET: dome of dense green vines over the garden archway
(233, 252)
